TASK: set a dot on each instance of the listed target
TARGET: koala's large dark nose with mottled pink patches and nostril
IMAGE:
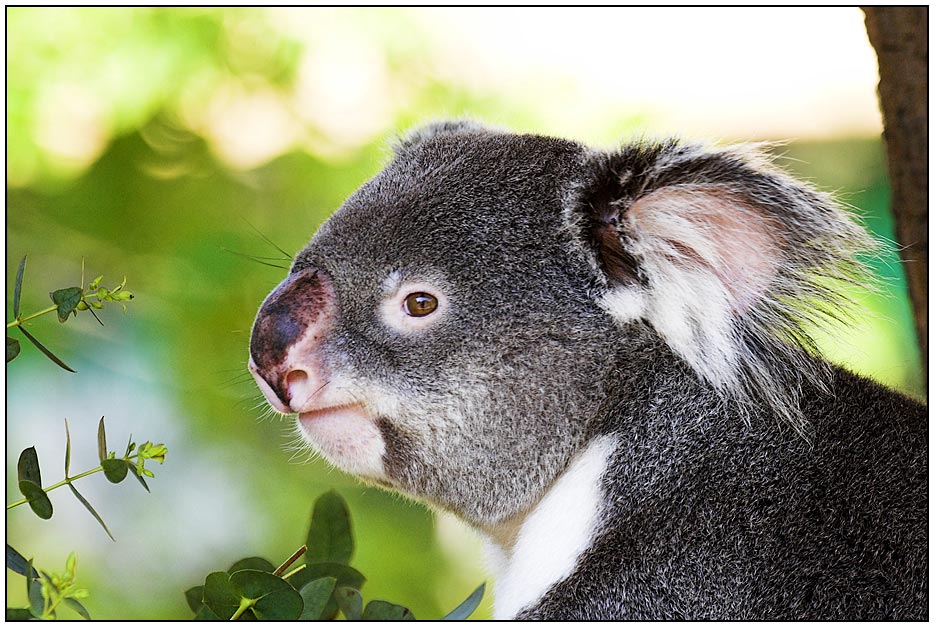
(287, 333)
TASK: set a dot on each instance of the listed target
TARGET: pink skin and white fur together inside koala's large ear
(707, 259)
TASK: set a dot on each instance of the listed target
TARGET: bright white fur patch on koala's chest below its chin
(553, 534)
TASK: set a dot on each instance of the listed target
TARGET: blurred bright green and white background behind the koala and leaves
(163, 144)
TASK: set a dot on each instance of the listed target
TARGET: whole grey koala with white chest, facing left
(601, 361)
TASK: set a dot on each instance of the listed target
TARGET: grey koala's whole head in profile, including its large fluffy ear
(451, 330)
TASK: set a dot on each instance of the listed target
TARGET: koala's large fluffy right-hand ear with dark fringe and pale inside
(726, 257)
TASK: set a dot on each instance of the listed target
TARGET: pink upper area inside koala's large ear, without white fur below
(709, 229)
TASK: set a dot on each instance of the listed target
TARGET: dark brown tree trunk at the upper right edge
(900, 37)
